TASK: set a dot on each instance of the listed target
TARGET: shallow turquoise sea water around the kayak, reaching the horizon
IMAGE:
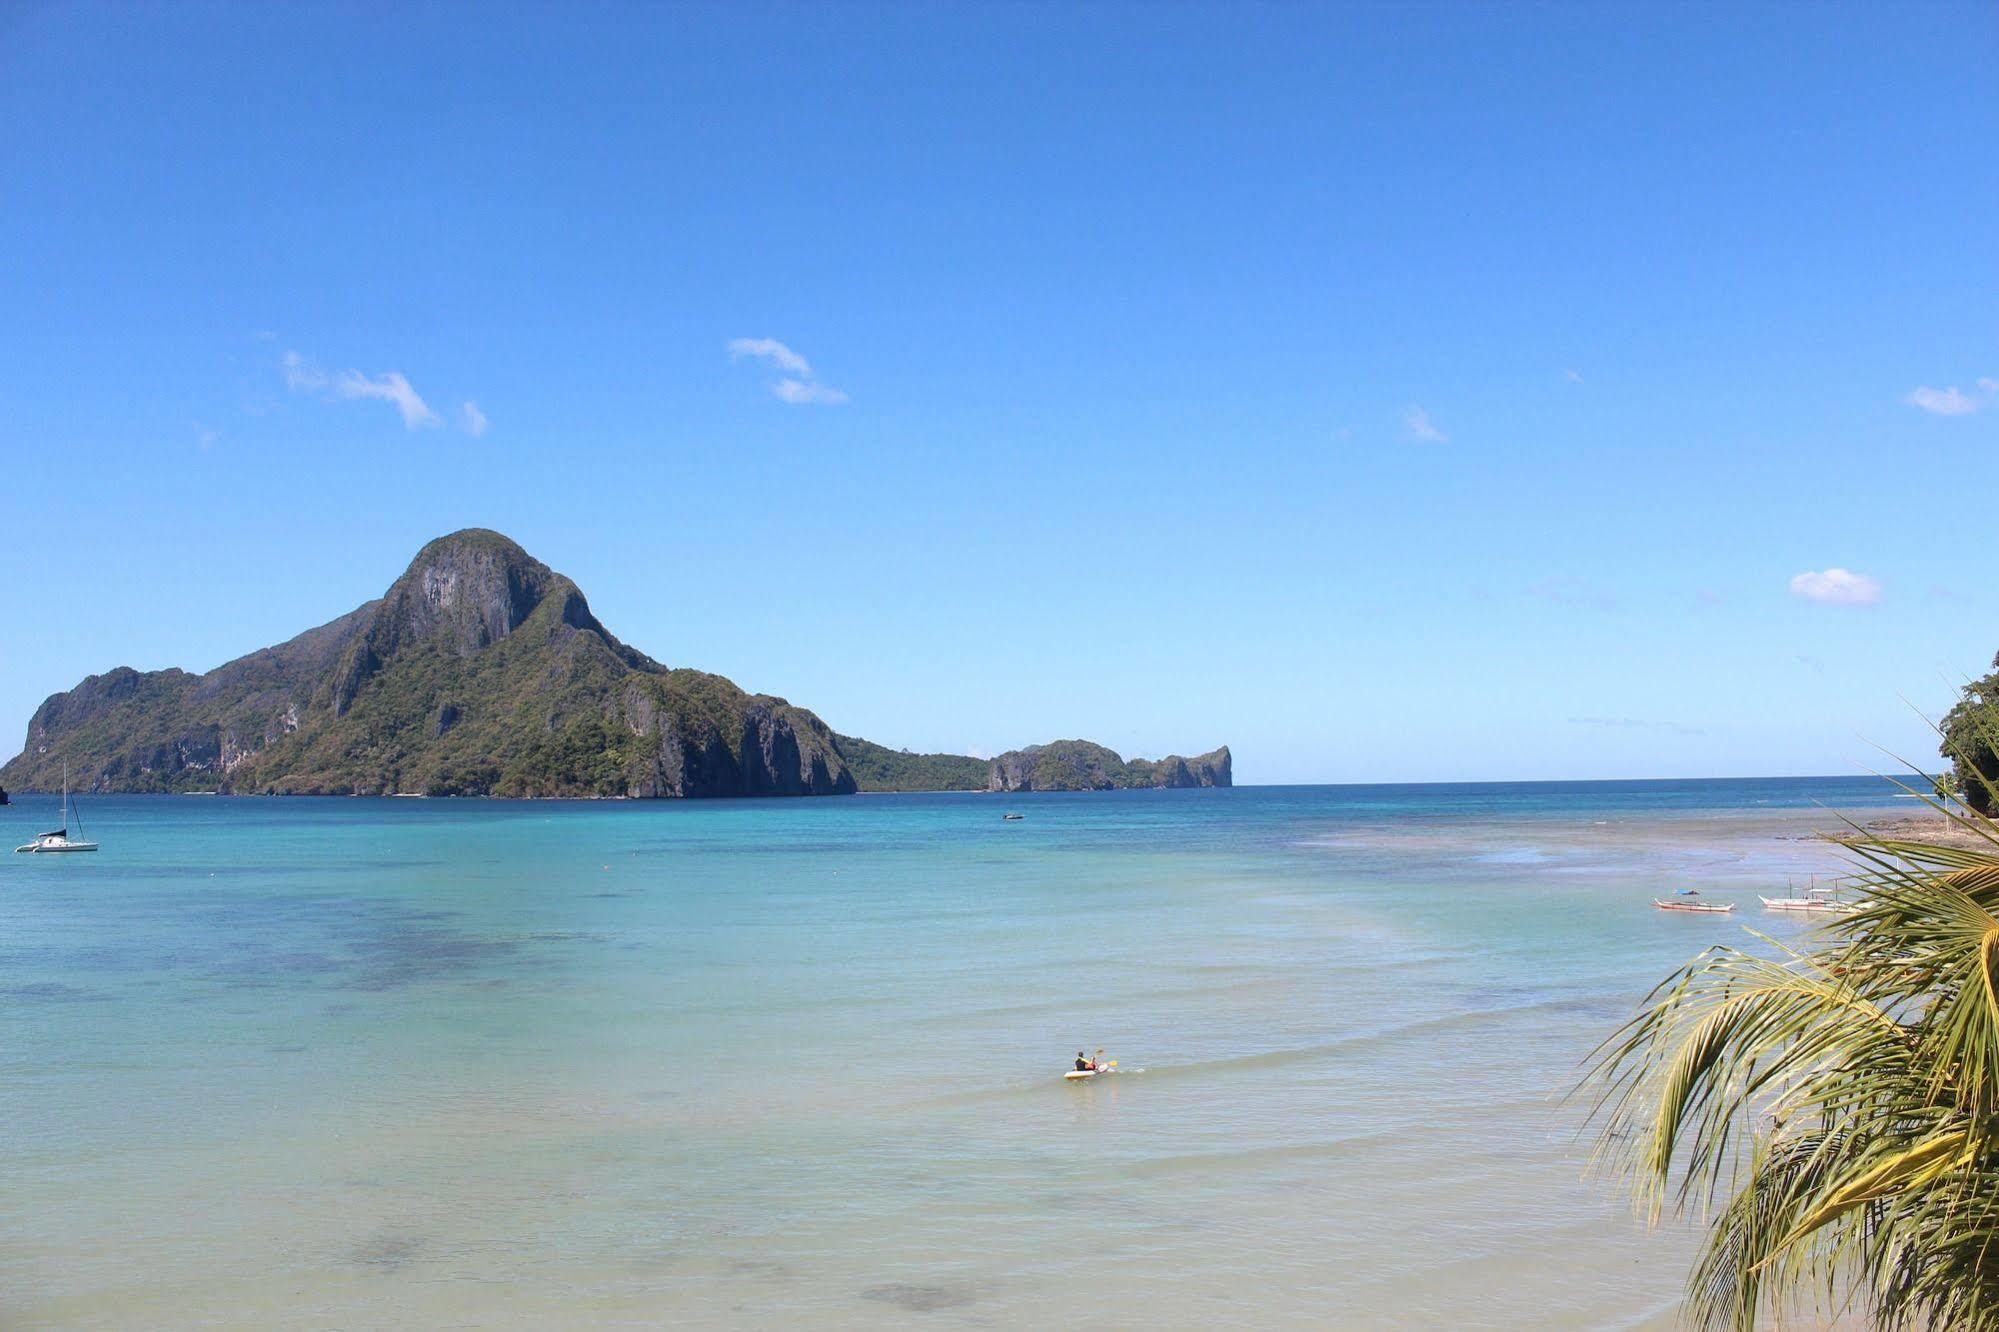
(359, 1063)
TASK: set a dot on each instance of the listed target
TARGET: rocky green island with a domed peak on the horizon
(483, 673)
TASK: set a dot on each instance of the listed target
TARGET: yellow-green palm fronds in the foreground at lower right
(1836, 1105)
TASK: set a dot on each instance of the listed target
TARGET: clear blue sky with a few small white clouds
(1394, 393)
